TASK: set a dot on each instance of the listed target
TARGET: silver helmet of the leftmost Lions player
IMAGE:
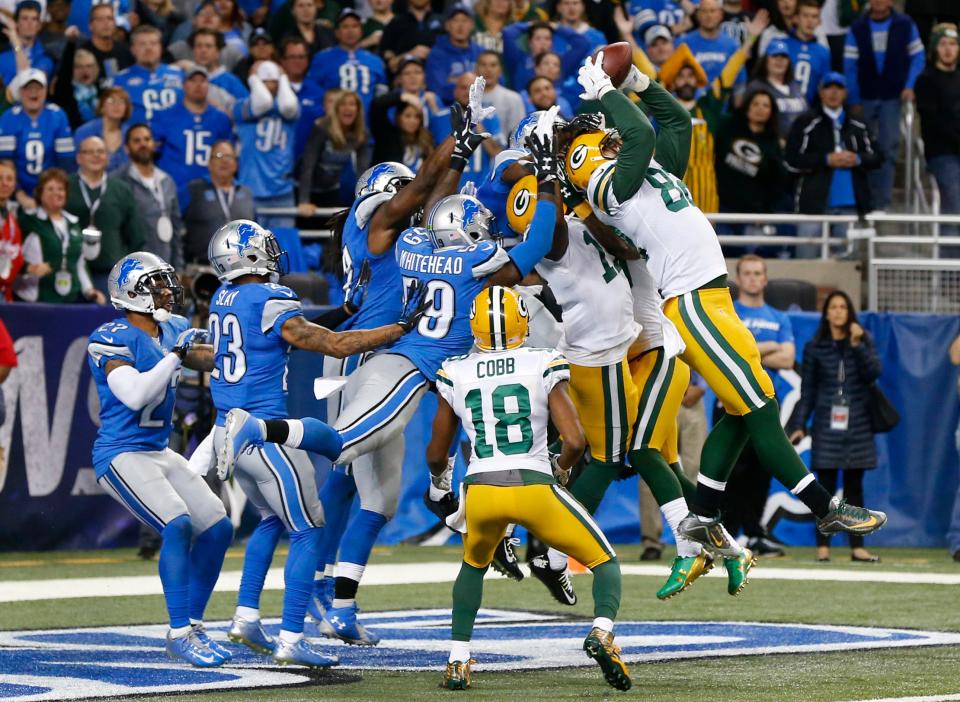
(136, 281)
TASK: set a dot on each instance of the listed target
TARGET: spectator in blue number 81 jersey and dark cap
(346, 66)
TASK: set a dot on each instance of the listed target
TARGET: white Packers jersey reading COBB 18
(501, 399)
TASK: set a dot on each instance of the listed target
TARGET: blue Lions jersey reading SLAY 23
(250, 354)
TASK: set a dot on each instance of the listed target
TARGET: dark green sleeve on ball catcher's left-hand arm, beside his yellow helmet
(639, 140)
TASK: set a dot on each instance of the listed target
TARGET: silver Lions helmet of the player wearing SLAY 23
(242, 247)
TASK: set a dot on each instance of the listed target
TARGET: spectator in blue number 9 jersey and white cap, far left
(34, 135)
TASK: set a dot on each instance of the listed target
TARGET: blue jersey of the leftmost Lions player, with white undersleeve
(121, 428)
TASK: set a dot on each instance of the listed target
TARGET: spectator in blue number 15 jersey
(187, 132)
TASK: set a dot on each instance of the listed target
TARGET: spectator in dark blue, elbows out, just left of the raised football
(522, 41)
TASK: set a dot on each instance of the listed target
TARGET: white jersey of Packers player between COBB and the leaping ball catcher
(594, 292)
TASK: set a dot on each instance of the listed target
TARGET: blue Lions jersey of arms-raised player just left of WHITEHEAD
(383, 302)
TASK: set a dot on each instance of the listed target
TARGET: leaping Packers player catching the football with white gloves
(645, 199)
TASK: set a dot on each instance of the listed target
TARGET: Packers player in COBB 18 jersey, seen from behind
(504, 394)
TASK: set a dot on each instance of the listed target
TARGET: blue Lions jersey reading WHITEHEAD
(454, 276)
